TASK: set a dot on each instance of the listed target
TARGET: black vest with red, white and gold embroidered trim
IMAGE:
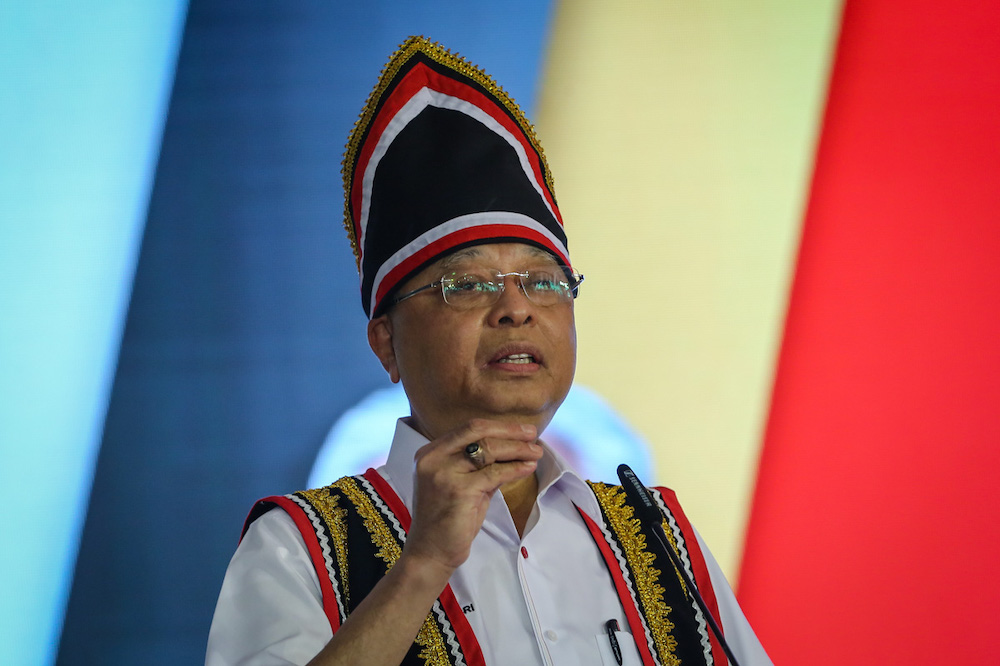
(354, 530)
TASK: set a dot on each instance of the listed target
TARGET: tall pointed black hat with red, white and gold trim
(441, 158)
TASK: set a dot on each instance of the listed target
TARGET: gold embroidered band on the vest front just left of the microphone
(626, 529)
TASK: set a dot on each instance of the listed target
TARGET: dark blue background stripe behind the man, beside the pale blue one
(245, 334)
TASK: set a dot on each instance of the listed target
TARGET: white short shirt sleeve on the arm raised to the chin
(270, 609)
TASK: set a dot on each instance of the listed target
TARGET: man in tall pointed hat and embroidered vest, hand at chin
(474, 544)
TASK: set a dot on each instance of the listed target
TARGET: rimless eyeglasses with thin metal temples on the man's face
(547, 285)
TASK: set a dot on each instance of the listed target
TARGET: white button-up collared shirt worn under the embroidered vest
(542, 598)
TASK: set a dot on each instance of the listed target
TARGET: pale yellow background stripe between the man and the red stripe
(681, 136)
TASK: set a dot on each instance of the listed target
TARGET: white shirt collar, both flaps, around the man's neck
(553, 471)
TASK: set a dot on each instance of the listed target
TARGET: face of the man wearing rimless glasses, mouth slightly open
(461, 364)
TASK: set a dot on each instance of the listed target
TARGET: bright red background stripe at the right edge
(874, 535)
